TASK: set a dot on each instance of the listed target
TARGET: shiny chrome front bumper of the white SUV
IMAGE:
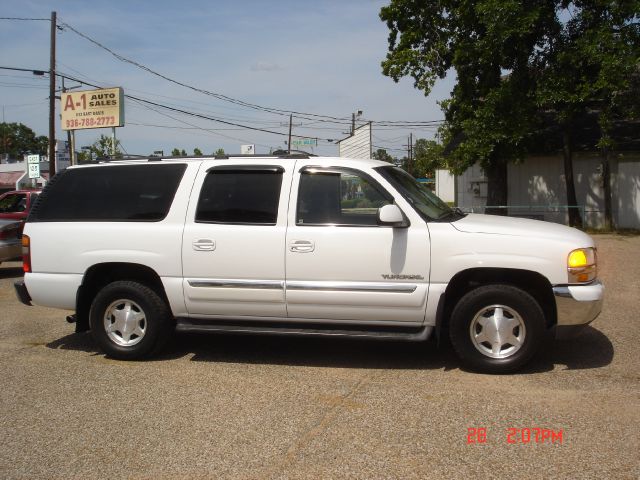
(577, 306)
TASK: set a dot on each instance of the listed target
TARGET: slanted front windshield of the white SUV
(426, 203)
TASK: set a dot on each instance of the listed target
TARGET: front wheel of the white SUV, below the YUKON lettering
(496, 328)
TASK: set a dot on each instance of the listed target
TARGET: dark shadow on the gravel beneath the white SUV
(590, 350)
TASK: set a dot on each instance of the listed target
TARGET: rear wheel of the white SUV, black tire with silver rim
(129, 320)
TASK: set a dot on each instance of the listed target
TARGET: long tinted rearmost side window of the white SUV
(119, 193)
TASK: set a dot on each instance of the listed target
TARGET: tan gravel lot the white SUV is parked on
(253, 407)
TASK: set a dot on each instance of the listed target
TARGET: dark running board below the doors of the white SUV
(315, 330)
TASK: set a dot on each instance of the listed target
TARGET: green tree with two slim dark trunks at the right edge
(591, 65)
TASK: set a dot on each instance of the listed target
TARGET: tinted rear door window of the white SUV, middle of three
(240, 196)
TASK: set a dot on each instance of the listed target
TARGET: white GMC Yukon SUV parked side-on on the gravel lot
(298, 245)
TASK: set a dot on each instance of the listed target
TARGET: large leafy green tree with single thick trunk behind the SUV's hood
(489, 115)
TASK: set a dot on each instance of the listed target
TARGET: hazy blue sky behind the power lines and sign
(317, 57)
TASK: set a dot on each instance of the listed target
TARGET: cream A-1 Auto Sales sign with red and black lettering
(93, 109)
